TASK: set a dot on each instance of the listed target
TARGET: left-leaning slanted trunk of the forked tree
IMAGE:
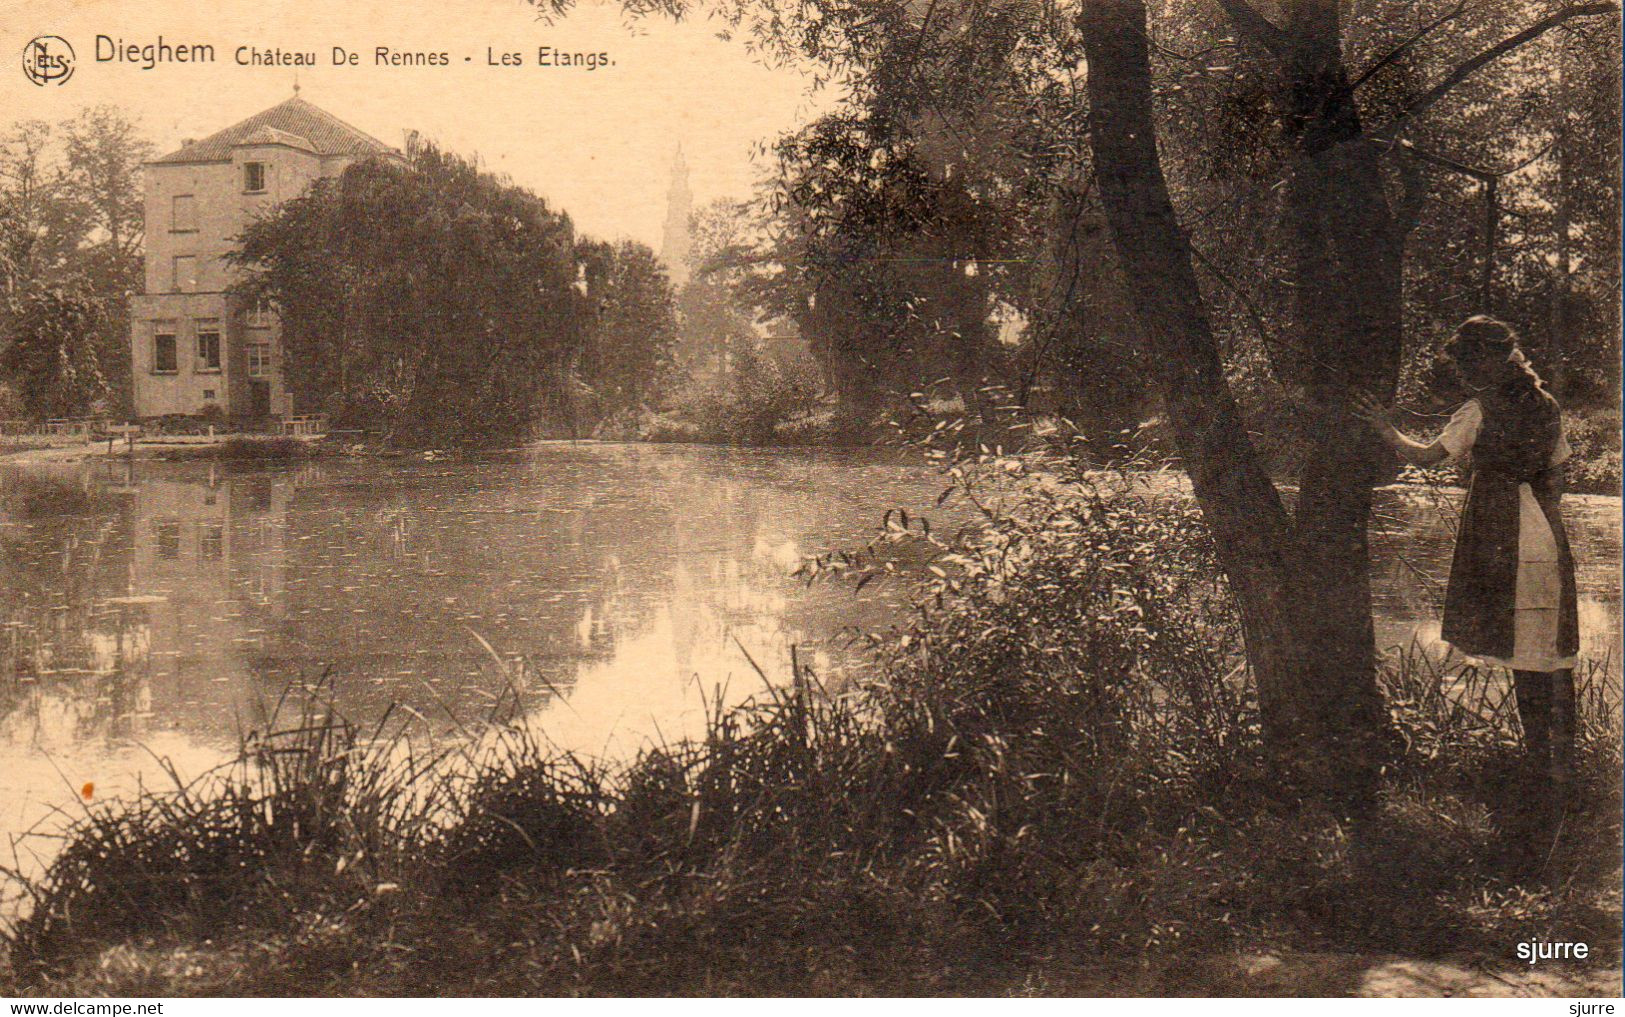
(1255, 539)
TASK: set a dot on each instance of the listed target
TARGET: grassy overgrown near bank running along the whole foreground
(1054, 784)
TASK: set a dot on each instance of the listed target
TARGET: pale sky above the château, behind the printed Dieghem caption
(597, 144)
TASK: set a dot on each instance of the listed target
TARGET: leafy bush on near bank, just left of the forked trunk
(1085, 659)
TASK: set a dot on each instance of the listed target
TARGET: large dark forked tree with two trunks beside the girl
(1304, 578)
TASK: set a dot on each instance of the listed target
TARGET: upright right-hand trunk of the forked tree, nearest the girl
(1350, 256)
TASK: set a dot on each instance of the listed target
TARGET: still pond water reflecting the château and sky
(157, 610)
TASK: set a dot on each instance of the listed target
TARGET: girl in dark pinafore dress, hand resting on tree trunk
(1512, 582)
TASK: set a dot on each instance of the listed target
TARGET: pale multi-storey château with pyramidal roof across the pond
(194, 348)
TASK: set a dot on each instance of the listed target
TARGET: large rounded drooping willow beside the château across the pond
(430, 300)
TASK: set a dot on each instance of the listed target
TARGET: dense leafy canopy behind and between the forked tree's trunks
(960, 136)
